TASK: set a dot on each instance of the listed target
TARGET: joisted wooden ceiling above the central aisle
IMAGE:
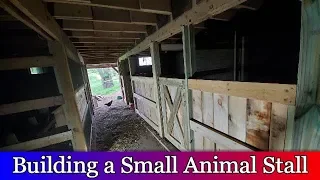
(102, 30)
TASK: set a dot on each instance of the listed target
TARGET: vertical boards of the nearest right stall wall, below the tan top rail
(258, 123)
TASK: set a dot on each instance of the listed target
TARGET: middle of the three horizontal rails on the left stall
(29, 105)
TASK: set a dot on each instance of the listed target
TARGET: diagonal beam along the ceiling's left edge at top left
(36, 10)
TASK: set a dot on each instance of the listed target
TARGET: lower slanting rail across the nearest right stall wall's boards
(220, 138)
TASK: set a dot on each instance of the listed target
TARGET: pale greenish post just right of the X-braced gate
(189, 69)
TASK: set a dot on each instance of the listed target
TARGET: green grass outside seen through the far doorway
(96, 84)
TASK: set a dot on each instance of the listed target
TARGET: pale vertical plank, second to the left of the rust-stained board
(221, 112)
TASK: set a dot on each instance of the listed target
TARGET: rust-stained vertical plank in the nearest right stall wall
(258, 123)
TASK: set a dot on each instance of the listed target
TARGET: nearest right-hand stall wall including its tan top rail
(253, 113)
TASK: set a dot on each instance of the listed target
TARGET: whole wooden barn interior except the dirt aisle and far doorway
(205, 75)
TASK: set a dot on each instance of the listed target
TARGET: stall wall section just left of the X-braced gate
(144, 98)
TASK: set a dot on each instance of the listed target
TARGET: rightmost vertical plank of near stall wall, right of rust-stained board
(278, 126)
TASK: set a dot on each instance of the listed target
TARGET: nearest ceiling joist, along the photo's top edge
(152, 6)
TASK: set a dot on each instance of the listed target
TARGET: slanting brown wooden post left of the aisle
(65, 85)
